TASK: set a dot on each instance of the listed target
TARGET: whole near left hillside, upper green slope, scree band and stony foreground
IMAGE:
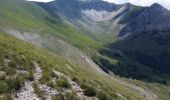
(44, 57)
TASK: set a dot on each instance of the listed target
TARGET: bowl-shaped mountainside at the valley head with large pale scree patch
(96, 18)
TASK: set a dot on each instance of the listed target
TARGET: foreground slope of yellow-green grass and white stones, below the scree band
(27, 71)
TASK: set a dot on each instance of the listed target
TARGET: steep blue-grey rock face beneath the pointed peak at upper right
(154, 18)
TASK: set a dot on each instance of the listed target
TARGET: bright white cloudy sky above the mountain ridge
(165, 3)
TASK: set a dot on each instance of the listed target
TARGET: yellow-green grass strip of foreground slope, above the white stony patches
(23, 54)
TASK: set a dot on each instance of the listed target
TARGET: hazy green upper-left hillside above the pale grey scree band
(26, 15)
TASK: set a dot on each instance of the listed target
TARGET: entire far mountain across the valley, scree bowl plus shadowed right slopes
(117, 26)
